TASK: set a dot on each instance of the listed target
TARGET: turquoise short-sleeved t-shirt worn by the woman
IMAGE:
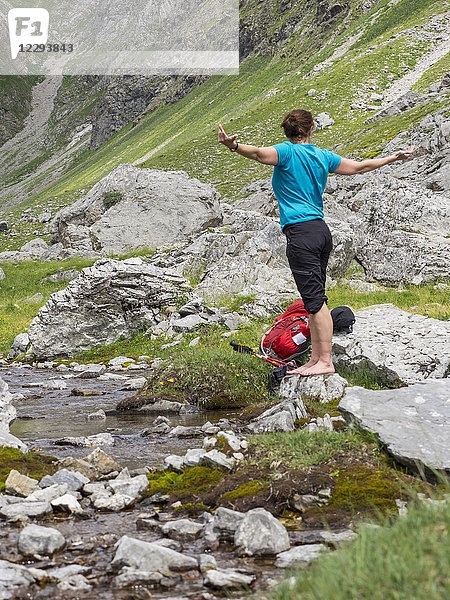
(299, 180)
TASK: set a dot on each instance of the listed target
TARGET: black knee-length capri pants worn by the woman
(309, 244)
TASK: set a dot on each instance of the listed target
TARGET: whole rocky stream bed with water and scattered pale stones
(112, 553)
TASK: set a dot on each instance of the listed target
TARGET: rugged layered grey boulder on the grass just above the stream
(108, 300)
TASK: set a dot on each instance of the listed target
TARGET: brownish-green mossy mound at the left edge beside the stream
(32, 464)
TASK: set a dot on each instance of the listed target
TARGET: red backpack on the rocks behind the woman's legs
(289, 334)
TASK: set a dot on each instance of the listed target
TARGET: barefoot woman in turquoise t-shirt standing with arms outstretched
(299, 178)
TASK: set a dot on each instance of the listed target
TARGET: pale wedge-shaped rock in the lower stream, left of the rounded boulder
(147, 556)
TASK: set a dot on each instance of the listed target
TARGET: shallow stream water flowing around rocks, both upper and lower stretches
(46, 415)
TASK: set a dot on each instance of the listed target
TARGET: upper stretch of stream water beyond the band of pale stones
(48, 415)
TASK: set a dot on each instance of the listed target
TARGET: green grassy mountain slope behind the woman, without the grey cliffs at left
(360, 54)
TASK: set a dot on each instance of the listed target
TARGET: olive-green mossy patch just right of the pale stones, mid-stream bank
(185, 486)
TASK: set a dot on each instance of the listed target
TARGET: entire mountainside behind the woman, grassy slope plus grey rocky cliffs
(367, 55)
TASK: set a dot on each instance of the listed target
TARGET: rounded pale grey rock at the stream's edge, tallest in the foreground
(261, 533)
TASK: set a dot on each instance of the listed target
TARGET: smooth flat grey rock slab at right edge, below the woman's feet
(413, 422)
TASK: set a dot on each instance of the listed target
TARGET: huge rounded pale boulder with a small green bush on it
(133, 207)
